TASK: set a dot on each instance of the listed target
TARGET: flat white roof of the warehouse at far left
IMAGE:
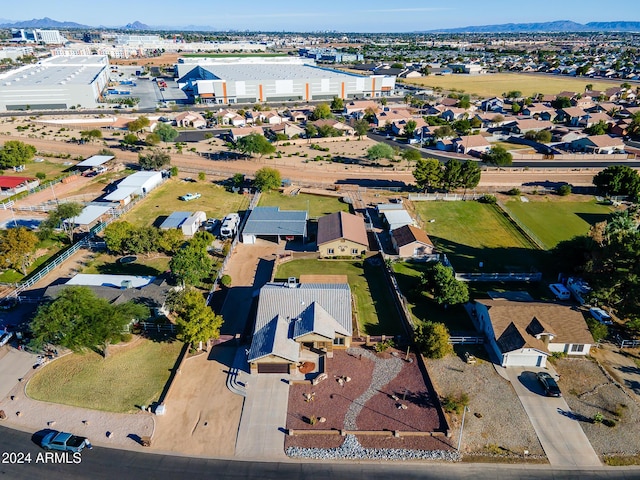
(72, 70)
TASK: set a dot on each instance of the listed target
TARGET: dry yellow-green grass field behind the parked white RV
(161, 202)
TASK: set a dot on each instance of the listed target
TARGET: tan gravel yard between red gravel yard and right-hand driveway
(497, 423)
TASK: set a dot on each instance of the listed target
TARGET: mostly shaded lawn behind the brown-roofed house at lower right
(421, 308)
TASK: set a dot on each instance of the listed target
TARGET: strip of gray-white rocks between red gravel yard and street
(352, 450)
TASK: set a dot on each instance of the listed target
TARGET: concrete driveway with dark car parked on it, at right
(559, 432)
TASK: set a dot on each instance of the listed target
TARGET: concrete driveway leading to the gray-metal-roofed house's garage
(264, 417)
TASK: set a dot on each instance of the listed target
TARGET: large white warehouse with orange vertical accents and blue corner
(273, 79)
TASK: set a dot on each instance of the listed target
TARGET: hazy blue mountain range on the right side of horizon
(556, 26)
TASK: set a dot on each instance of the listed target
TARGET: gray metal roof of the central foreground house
(315, 304)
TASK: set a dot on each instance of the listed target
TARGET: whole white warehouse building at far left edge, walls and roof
(59, 82)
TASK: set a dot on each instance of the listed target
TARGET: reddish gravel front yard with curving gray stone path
(341, 405)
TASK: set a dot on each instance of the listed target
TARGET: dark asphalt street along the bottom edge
(109, 464)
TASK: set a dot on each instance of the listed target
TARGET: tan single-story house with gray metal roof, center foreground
(292, 316)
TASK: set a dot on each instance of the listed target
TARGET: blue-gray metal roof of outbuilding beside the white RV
(273, 221)
